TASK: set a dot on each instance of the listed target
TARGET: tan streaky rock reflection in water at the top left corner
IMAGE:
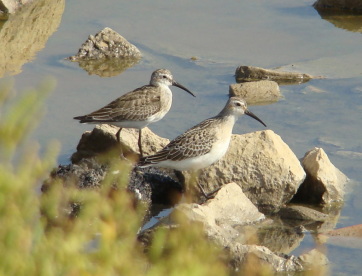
(26, 32)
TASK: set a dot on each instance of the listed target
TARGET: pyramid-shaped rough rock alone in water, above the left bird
(106, 44)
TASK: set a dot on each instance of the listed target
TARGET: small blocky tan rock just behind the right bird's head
(256, 92)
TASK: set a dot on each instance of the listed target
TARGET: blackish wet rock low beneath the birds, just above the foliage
(150, 185)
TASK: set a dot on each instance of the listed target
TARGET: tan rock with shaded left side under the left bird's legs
(102, 140)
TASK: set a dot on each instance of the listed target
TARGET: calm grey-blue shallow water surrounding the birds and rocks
(290, 34)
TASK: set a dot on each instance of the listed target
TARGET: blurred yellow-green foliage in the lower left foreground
(39, 237)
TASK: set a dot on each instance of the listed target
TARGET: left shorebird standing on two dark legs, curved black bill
(138, 108)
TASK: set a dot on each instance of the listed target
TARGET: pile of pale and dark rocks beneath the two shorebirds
(257, 209)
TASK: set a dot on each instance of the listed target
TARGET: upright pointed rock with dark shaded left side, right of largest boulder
(324, 183)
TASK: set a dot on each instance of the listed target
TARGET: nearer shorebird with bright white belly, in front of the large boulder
(203, 144)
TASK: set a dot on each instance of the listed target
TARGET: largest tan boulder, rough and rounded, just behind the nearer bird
(262, 164)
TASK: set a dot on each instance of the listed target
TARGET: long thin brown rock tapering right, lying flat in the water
(251, 73)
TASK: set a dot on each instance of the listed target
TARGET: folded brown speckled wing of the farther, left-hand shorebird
(136, 105)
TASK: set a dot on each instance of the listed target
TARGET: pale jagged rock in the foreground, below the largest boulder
(220, 217)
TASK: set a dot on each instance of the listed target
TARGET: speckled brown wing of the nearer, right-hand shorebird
(194, 142)
